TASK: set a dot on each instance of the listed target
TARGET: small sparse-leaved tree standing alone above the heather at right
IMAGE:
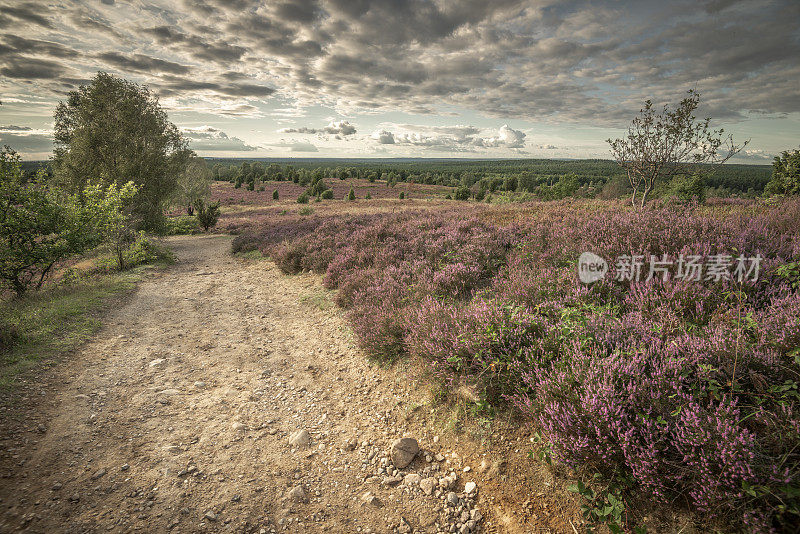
(662, 145)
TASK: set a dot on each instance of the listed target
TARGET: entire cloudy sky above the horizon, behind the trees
(409, 78)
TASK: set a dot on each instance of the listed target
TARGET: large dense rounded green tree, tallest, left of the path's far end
(113, 130)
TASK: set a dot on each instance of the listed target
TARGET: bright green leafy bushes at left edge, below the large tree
(41, 226)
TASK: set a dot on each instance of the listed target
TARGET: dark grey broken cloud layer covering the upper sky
(535, 60)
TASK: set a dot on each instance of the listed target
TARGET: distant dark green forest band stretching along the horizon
(545, 178)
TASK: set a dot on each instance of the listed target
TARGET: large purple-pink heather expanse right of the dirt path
(688, 388)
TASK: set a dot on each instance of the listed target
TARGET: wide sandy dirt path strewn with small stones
(178, 417)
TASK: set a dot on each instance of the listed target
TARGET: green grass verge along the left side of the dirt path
(55, 320)
